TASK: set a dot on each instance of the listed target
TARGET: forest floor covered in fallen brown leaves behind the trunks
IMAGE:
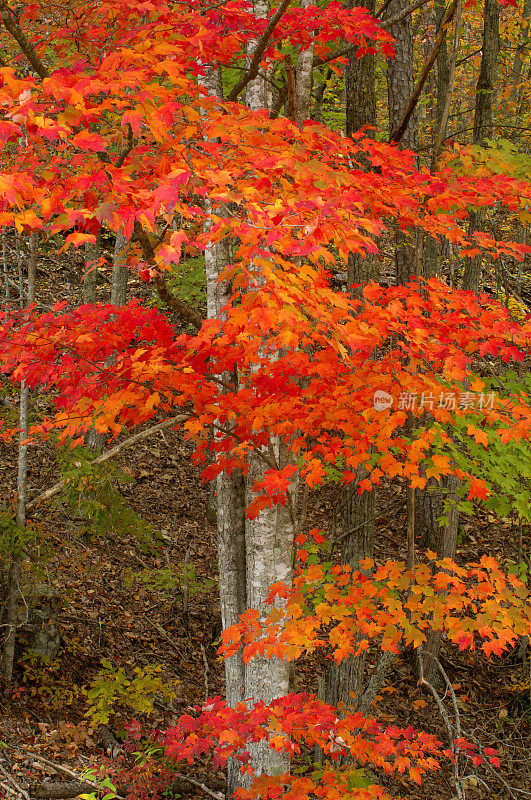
(124, 605)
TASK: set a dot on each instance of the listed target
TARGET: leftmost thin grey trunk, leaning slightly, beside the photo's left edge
(13, 587)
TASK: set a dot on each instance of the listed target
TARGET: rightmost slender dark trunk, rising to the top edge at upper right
(484, 122)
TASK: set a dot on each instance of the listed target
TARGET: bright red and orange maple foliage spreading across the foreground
(120, 130)
